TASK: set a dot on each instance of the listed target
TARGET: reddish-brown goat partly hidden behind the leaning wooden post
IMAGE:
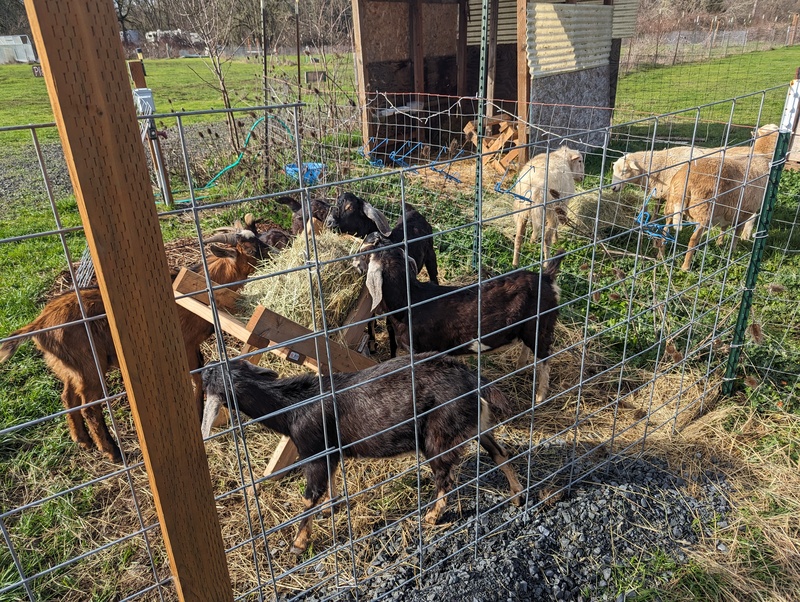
(68, 352)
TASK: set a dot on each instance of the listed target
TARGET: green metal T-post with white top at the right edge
(790, 111)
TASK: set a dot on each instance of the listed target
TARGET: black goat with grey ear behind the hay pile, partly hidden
(352, 215)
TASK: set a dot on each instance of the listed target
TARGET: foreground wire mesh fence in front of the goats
(639, 348)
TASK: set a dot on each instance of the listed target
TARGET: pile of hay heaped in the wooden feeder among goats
(289, 291)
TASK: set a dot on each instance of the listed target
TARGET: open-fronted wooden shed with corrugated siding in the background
(545, 60)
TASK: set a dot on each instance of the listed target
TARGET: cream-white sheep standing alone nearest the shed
(555, 172)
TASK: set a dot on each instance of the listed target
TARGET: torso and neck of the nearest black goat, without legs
(442, 392)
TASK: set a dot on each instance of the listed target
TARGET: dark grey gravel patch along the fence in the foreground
(569, 550)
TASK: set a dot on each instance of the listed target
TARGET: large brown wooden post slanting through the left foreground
(90, 94)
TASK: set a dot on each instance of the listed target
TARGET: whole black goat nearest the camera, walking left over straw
(376, 418)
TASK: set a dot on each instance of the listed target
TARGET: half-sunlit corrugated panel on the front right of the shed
(568, 37)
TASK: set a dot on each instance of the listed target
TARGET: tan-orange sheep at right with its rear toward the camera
(714, 192)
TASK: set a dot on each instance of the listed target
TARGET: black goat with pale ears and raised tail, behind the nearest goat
(520, 305)
